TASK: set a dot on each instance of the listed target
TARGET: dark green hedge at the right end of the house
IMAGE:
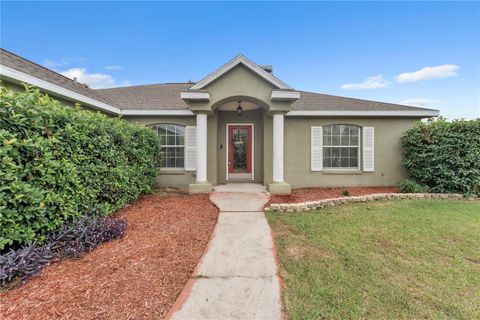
(444, 156)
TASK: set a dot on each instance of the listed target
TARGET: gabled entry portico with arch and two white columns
(240, 80)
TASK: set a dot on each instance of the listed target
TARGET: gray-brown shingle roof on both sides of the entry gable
(167, 96)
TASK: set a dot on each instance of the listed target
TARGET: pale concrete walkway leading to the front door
(237, 277)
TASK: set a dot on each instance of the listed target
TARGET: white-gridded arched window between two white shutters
(341, 146)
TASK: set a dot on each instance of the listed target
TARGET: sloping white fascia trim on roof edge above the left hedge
(48, 86)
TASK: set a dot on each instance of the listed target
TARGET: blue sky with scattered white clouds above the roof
(421, 53)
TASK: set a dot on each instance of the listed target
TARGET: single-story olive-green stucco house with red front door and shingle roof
(242, 124)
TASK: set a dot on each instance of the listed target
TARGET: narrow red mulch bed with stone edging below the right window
(312, 194)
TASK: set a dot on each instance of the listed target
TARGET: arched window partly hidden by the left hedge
(173, 144)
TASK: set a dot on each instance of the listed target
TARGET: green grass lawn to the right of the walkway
(409, 259)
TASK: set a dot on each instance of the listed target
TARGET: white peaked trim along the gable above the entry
(232, 64)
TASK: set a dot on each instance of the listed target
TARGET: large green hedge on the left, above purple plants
(60, 163)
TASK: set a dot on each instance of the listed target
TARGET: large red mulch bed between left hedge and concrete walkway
(136, 277)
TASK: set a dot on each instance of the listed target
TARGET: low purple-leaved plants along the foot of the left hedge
(71, 241)
